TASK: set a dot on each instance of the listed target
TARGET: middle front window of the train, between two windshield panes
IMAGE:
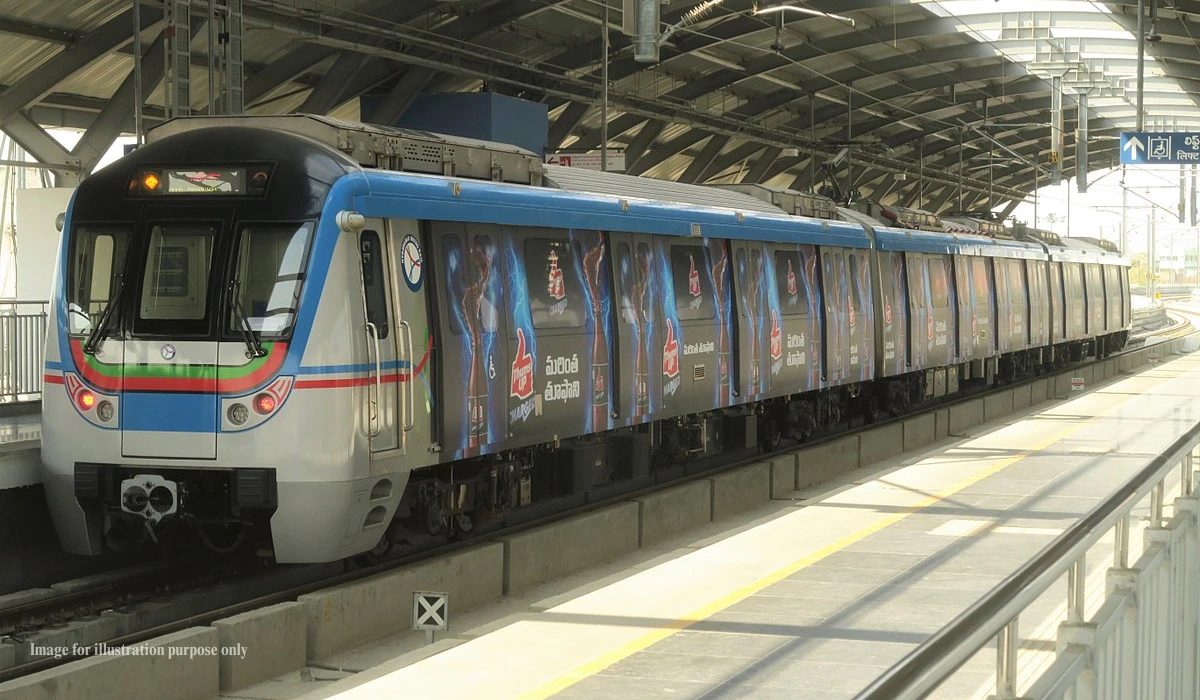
(176, 285)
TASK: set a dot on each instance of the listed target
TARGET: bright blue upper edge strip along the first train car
(452, 200)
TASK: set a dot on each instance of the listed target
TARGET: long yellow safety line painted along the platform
(705, 612)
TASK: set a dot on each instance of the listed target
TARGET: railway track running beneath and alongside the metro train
(21, 623)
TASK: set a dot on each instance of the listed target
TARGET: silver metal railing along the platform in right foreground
(1142, 641)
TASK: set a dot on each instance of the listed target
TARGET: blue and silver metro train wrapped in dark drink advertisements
(321, 337)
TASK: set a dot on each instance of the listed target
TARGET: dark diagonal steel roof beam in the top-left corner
(103, 41)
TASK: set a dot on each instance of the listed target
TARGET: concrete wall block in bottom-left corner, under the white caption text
(147, 677)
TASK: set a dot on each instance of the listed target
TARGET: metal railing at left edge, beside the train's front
(22, 350)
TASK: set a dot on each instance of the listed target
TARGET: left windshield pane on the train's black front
(98, 259)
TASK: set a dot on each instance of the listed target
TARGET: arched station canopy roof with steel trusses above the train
(937, 105)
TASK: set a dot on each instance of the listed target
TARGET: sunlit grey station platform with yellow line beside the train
(823, 596)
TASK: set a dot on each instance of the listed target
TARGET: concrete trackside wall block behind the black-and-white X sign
(350, 617)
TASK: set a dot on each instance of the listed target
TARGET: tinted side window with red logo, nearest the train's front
(556, 294)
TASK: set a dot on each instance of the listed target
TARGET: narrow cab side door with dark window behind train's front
(382, 331)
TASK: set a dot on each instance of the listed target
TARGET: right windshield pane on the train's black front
(271, 270)
